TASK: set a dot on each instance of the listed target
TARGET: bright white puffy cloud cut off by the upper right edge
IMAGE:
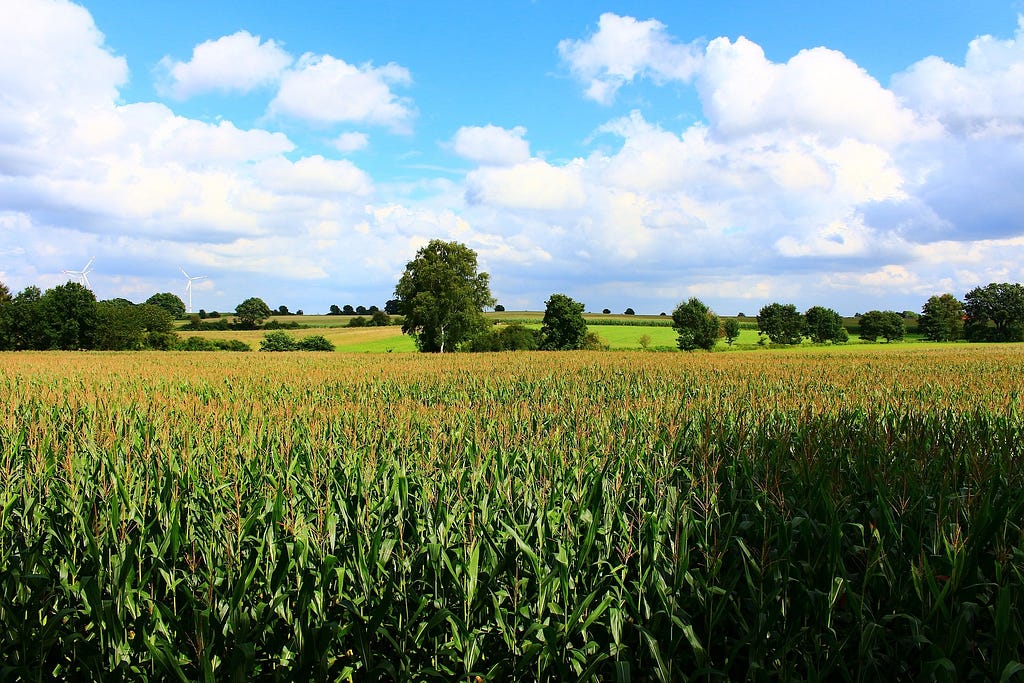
(987, 95)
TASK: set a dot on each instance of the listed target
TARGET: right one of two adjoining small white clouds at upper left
(325, 90)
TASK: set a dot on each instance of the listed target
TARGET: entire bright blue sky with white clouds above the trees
(627, 154)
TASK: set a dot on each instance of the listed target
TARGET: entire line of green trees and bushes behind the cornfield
(442, 297)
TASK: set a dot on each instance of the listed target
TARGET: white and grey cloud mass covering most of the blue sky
(804, 181)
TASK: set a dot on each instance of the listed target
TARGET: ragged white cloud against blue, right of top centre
(624, 50)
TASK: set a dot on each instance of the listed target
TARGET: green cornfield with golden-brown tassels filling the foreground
(849, 516)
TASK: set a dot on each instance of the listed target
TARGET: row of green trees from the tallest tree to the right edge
(443, 296)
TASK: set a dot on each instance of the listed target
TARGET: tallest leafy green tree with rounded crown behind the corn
(442, 296)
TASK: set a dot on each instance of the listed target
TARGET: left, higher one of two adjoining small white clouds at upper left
(240, 63)
